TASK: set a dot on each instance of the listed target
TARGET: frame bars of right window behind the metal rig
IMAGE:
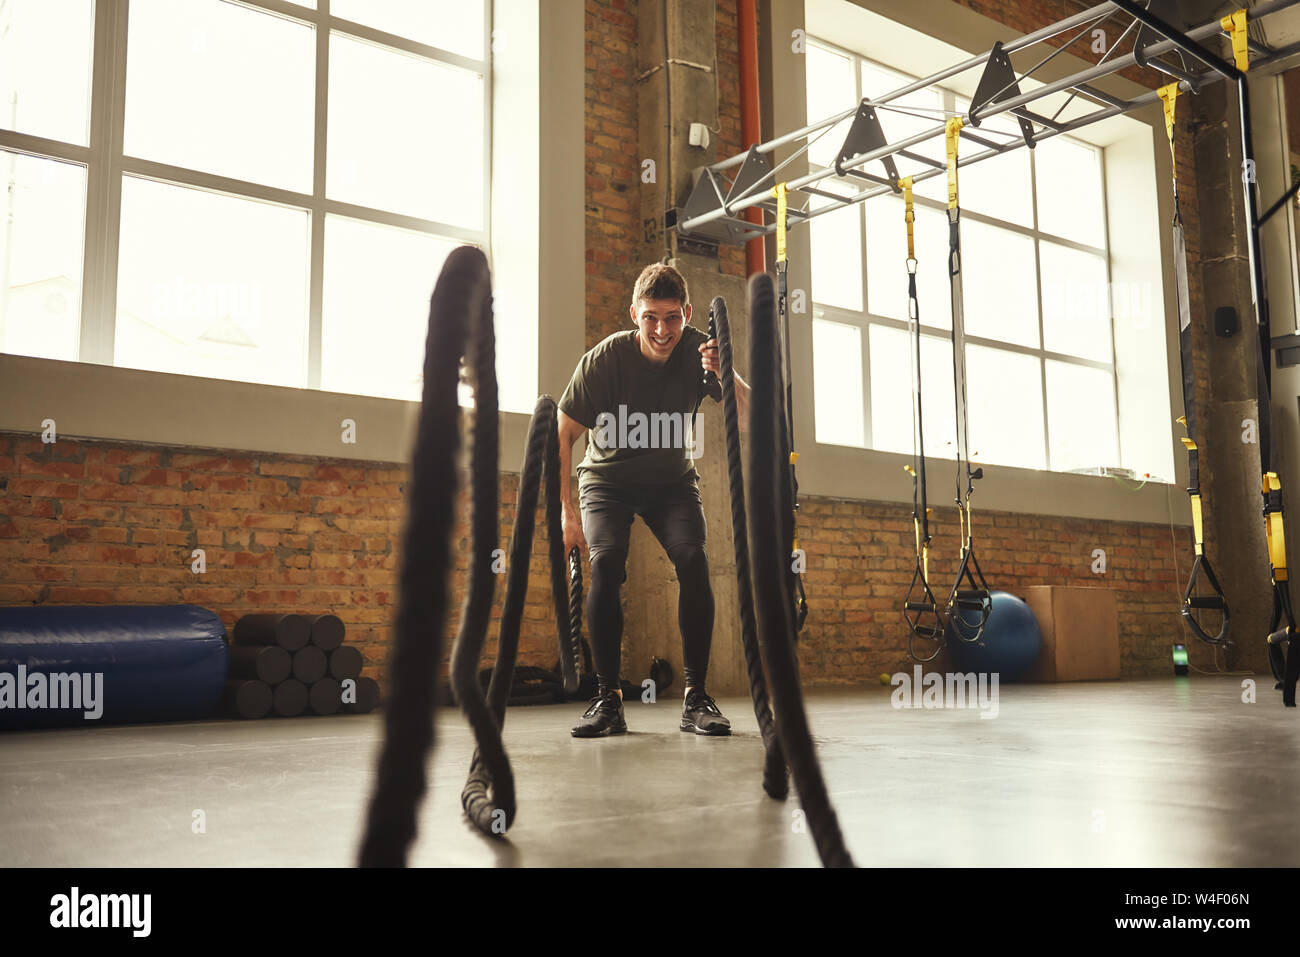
(865, 319)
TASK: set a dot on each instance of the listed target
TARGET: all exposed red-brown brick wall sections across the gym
(102, 522)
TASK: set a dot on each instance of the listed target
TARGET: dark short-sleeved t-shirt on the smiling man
(636, 413)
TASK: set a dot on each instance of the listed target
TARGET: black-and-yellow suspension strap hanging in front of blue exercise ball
(977, 596)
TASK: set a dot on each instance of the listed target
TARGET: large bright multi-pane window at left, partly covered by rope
(259, 190)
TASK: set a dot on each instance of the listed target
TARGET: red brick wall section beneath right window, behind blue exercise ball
(860, 565)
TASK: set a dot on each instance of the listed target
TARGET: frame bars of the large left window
(107, 164)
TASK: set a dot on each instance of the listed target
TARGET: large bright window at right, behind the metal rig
(1042, 388)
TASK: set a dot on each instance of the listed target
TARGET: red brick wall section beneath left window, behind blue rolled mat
(92, 523)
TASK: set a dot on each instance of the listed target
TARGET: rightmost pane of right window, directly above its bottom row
(1076, 304)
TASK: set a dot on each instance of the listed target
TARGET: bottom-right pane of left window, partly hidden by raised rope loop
(376, 310)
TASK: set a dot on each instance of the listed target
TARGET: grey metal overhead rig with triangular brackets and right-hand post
(714, 210)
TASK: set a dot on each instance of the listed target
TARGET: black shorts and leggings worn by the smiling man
(677, 517)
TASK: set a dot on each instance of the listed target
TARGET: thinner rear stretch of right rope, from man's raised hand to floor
(777, 781)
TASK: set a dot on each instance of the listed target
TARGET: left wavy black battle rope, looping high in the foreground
(460, 326)
